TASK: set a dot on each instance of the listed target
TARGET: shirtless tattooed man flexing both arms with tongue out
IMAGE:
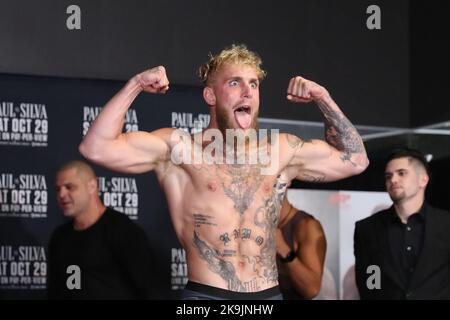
(225, 213)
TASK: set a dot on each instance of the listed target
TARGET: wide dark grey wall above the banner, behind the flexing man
(324, 40)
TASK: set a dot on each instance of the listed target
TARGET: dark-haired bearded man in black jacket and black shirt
(404, 252)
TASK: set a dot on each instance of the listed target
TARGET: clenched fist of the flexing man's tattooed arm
(301, 90)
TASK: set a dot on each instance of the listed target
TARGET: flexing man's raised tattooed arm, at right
(341, 155)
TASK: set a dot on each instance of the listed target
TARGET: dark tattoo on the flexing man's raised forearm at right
(340, 133)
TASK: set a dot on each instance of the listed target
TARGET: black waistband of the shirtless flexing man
(232, 295)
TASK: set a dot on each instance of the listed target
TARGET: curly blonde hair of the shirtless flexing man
(236, 54)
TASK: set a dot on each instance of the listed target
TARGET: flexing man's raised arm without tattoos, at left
(133, 152)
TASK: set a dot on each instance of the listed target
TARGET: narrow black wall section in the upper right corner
(429, 62)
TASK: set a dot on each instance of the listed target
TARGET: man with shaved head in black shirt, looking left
(100, 253)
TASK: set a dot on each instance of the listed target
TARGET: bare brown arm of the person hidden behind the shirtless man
(305, 271)
